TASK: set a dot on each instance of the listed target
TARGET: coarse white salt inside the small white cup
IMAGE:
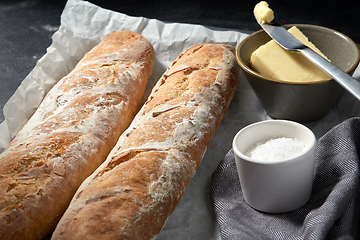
(276, 149)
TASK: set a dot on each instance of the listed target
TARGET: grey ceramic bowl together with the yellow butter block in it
(290, 86)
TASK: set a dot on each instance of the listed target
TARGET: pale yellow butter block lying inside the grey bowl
(272, 61)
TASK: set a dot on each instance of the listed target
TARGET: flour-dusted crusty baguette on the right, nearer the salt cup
(133, 193)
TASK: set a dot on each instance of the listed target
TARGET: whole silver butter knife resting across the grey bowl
(291, 43)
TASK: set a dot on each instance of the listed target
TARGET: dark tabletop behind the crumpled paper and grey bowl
(26, 26)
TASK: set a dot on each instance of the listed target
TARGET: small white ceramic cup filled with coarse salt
(275, 160)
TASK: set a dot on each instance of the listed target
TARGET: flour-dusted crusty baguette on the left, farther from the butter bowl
(71, 134)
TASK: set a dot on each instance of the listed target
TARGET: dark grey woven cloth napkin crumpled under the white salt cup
(333, 211)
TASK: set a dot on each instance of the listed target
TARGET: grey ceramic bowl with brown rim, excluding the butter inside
(298, 101)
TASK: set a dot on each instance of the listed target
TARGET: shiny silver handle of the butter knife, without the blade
(345, 80)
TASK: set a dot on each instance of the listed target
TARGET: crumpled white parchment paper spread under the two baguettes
(83, 25)
